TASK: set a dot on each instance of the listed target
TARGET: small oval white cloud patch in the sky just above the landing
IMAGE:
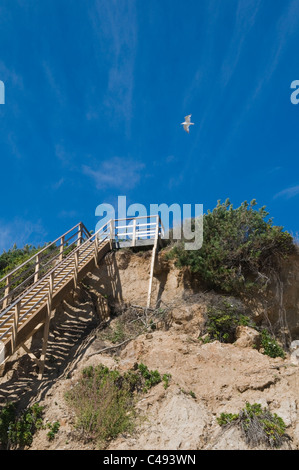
(117, 172)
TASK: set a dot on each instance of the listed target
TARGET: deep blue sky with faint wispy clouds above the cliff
(95, 91)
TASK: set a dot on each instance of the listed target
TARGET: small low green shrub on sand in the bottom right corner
(258, 425)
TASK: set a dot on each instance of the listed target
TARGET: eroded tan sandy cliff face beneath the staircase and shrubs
(206, 379)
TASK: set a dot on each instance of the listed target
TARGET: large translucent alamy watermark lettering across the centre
(180, 223)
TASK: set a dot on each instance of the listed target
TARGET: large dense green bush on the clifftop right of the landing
(240, 249)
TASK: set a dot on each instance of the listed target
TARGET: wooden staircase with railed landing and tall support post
(31, 291)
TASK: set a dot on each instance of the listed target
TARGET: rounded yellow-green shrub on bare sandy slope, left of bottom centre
(103, 400)
